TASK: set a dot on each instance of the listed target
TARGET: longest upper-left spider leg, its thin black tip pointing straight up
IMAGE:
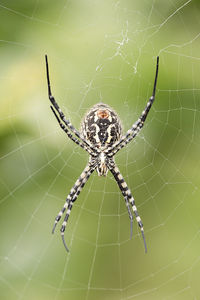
(61, 114)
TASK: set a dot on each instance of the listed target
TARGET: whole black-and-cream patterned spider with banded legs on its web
(101, 136)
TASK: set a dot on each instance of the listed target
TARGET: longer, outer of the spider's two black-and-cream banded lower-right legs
(127, 194)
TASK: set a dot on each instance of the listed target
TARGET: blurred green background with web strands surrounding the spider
(99, 51)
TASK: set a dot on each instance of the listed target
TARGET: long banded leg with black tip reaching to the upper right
(137, 126)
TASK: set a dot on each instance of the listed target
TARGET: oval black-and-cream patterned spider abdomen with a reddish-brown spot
(101, 126)
